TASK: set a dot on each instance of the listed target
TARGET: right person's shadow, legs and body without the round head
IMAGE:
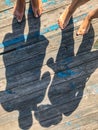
(71, 72)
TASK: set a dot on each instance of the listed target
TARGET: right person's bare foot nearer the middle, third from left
(64, 18)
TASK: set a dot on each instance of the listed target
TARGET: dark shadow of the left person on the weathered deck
(24, 87)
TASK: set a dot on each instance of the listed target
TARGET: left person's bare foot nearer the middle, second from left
(37, 7)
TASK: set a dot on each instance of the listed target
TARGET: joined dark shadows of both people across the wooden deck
(25, 89)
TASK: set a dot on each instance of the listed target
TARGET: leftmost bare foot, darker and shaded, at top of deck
(19, 10)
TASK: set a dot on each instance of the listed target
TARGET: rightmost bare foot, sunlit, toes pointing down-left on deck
(84, 28)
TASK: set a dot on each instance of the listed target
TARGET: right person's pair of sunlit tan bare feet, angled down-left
(65, 18)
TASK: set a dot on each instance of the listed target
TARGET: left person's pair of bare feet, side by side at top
(19, 9)
